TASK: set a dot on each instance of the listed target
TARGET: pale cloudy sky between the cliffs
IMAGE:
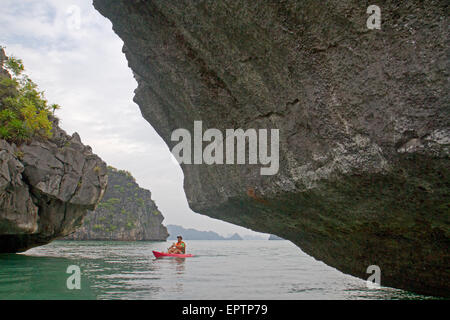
(71, 52)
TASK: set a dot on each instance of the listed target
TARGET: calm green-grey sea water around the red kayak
(219, 270)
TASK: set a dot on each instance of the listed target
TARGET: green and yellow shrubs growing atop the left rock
(24, 111)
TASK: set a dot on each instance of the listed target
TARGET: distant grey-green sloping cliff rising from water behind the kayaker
(126, 213)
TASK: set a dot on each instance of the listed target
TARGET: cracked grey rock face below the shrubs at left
(46, 187)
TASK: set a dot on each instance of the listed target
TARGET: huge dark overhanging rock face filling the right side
(363, 118)
